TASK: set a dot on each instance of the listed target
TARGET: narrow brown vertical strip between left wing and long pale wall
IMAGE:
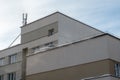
(23, 74)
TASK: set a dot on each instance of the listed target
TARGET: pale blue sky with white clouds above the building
(100, 14)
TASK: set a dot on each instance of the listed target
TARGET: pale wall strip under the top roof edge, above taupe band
(39, 23)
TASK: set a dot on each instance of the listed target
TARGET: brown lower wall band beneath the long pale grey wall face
(78, 72)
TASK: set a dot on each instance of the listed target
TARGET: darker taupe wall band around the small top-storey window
(39, 33)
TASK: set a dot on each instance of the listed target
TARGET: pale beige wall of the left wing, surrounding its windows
(15, 67)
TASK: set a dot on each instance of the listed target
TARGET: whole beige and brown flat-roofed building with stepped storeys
(58, 47)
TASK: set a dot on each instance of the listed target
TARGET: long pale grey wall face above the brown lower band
(74, 54)
